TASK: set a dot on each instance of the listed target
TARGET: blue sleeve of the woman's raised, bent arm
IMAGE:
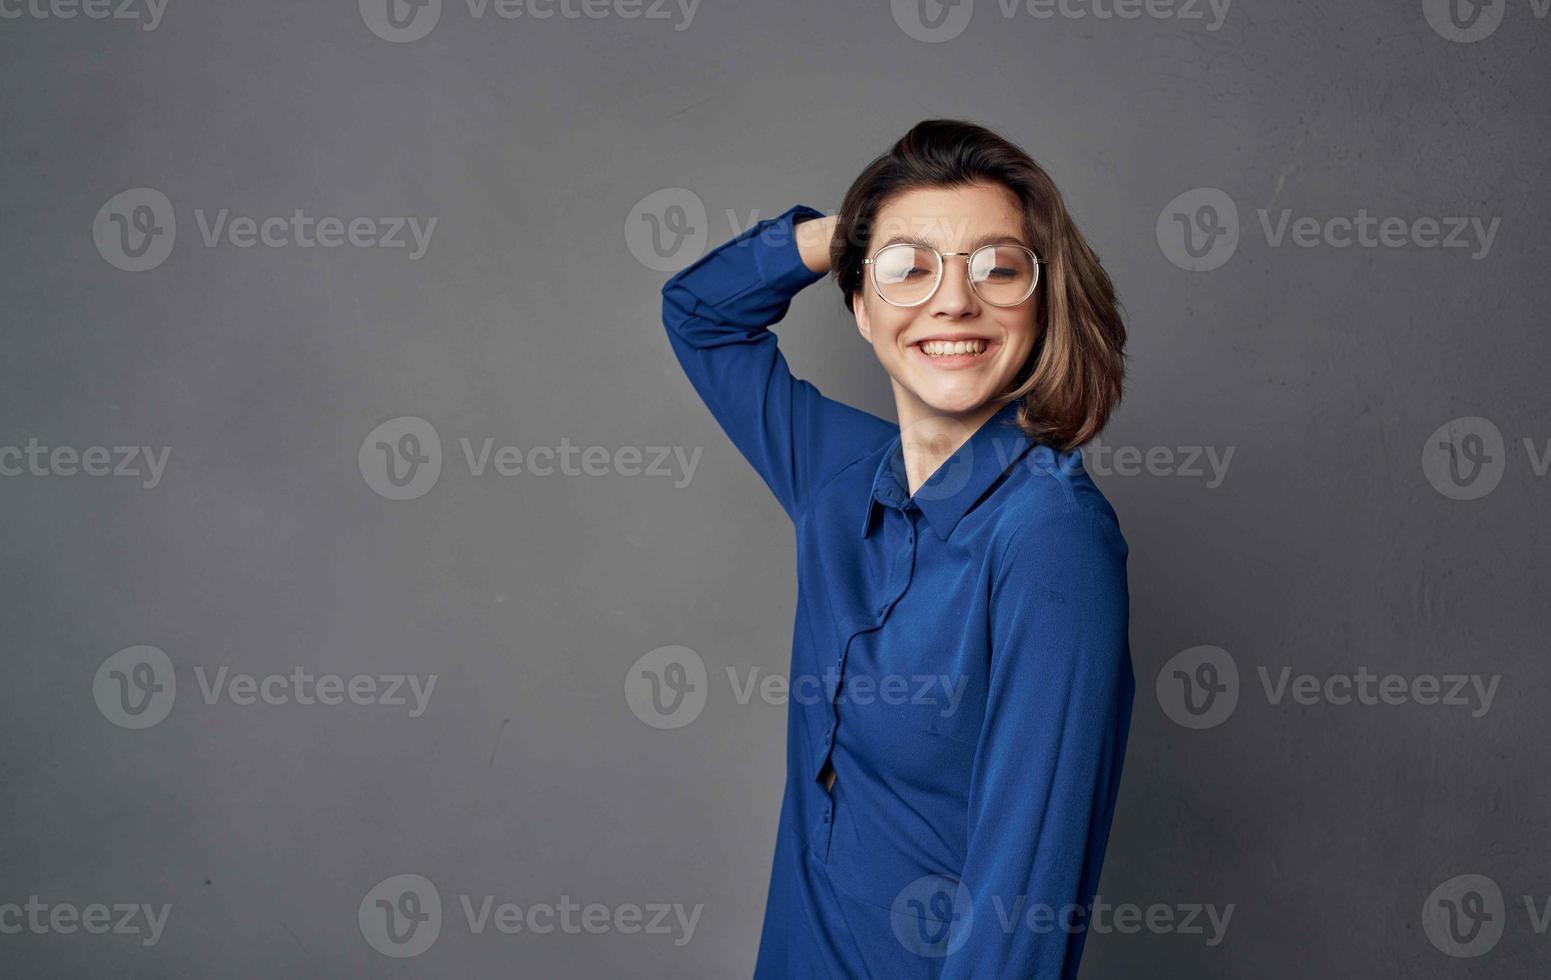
(717, 314)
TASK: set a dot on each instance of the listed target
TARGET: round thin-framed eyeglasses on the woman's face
(908, 275)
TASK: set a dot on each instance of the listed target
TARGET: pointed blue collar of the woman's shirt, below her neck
(962, 480)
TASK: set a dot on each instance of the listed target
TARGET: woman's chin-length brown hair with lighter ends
(1074, 376)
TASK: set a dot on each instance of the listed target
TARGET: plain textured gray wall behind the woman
(530, 320)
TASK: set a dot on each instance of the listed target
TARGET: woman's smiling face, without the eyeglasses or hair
(927, 382)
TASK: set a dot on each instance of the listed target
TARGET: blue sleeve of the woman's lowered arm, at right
(1052, 744)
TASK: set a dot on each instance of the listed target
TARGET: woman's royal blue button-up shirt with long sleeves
(959, 655)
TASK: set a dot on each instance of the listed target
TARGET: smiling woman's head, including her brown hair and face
(958, 187)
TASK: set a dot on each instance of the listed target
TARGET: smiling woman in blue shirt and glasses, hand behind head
(961, 678)
